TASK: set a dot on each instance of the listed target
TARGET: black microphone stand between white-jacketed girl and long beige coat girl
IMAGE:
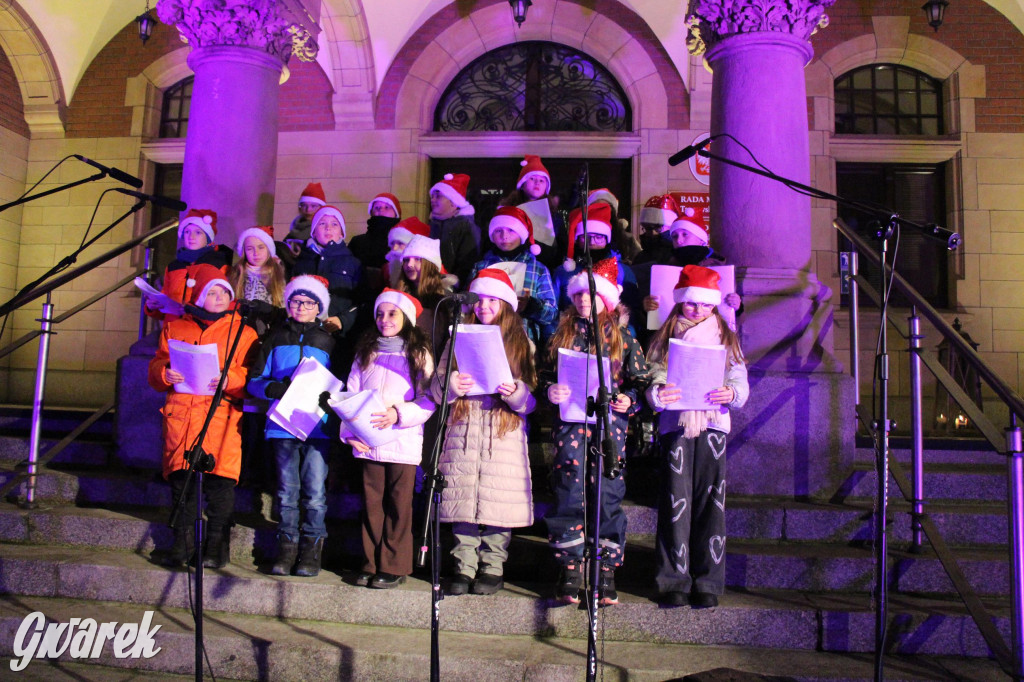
(431, 538)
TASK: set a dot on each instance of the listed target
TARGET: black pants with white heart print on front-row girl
(692, 515)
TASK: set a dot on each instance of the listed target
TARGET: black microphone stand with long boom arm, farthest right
(881, 423)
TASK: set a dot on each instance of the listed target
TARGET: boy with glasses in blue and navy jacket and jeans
(302, 465)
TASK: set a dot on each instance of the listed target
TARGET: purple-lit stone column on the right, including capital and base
(795, 436)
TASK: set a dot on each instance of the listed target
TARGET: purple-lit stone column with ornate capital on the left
(240, 50)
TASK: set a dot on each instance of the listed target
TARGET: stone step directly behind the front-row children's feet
(750, 565)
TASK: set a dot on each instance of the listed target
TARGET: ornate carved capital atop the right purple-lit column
(713, 21)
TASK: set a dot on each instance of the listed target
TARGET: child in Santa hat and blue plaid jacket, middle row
(513, 234)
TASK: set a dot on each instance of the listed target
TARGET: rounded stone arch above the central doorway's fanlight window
(607, 30)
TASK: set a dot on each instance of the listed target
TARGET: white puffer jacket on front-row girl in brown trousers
(389, 375)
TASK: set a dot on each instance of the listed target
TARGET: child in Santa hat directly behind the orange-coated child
(196, 254)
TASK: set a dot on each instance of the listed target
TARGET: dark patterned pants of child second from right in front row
(567, 528)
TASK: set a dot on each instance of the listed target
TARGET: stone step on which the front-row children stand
(787, 620)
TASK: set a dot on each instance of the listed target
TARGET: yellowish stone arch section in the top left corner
(38, 78)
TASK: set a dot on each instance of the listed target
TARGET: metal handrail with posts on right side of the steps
(1010, 658)
